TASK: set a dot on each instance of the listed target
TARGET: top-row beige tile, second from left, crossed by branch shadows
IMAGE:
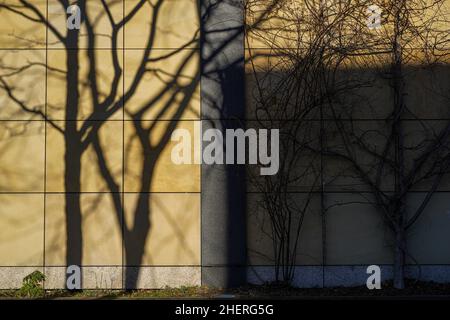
(98, 18)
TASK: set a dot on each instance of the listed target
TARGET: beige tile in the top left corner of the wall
(17, 31)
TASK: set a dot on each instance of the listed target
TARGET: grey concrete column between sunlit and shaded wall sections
(223, 106)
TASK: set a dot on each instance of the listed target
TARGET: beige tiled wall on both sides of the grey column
(86, 117)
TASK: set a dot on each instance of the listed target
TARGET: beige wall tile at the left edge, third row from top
(22, 153)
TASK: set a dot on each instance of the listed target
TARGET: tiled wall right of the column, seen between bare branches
(355, 233)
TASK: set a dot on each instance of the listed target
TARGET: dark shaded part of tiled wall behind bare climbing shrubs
(344, 208)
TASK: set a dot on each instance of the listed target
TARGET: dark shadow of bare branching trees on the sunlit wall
(87, 84)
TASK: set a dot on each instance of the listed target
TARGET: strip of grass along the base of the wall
(413, 289)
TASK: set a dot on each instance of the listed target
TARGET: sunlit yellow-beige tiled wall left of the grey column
(32, 157)
